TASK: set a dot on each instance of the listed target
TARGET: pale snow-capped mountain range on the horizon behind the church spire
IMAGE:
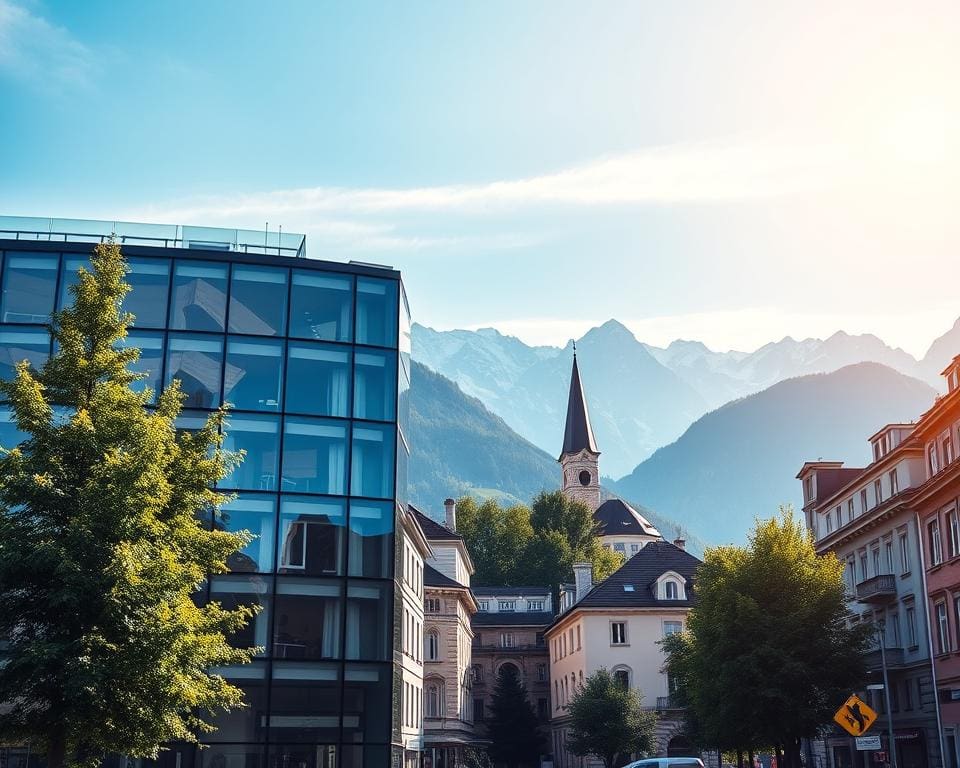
(642, 397)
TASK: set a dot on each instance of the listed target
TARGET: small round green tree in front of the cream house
(608, 721)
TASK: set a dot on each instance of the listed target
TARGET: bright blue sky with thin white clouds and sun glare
(732, 172)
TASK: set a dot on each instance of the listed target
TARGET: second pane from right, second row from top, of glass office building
(318, 379)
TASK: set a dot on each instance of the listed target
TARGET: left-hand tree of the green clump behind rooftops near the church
(497, 538)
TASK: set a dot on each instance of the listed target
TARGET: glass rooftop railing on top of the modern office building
(264, 241)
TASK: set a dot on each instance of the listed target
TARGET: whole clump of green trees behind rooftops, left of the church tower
(521, 545)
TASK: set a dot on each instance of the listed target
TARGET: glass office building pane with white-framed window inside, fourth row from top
(311, 536)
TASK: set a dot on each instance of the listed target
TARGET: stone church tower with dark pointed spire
(580, 457)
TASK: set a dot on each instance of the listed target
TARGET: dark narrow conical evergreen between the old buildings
(513, 727)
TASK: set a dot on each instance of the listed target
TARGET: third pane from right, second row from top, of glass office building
(252, 377)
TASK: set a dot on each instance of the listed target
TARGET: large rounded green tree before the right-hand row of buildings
(769, 653)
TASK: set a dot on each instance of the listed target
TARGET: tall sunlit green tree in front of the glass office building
(101, 548)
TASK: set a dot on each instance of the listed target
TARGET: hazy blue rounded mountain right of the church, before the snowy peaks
(739, 461)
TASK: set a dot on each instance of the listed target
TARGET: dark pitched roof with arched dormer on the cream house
(641, 572)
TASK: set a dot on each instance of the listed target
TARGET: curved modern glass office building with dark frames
(314, 358)
